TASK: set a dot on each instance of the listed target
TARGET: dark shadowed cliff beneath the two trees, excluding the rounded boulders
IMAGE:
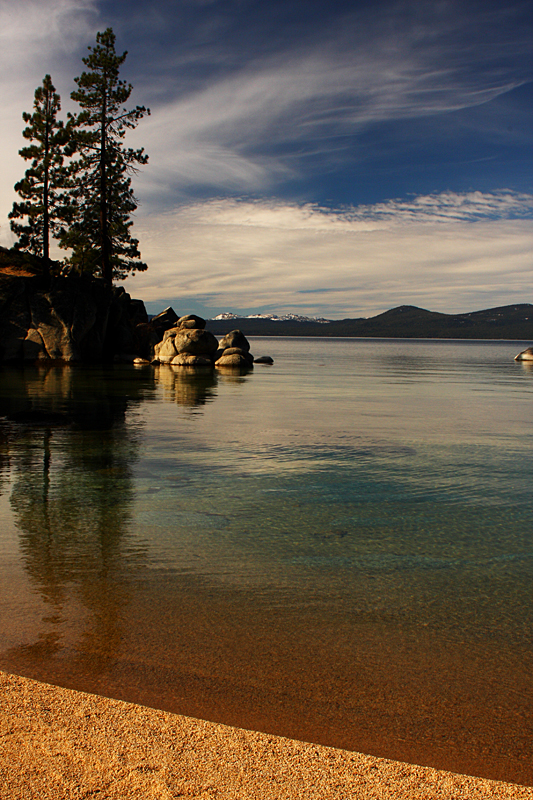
(74, 318)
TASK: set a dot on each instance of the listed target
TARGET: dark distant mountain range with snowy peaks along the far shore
(405, 322)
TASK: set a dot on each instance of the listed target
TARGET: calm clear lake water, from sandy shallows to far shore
(336, 548)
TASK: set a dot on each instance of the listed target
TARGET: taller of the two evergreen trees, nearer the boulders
(100, 236)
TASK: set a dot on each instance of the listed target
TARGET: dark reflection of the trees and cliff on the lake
(71, 447)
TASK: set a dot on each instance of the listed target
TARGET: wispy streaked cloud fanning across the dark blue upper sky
(247, 128)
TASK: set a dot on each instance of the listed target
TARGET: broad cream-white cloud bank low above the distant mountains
(237, 255)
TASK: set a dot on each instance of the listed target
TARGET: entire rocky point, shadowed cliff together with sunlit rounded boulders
(76, 318)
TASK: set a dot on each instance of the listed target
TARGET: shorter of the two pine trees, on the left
(44, 206)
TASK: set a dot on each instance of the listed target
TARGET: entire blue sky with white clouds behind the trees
(331, 159)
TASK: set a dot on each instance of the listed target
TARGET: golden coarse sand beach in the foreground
(57, 743)
